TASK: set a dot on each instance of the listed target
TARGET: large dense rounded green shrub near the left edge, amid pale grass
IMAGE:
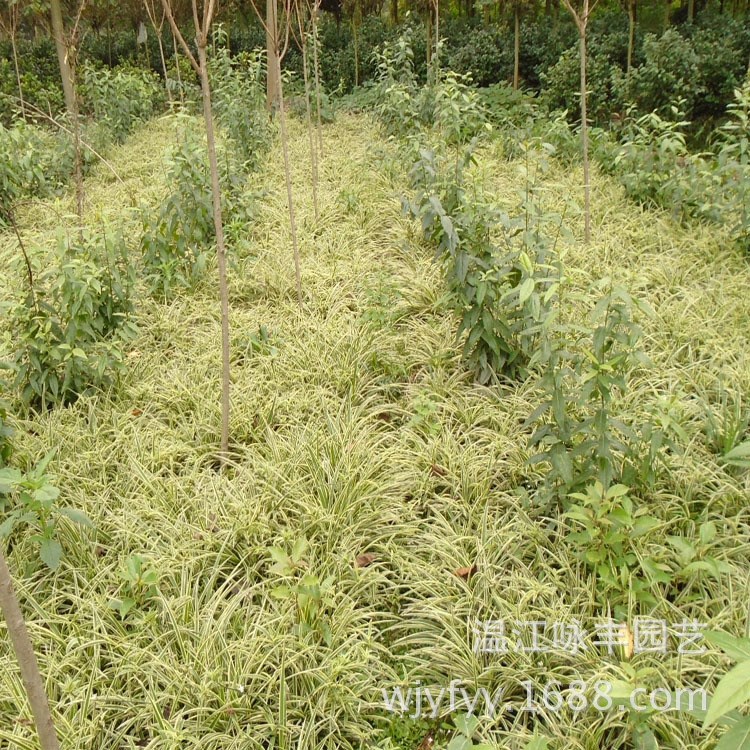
(70, 329)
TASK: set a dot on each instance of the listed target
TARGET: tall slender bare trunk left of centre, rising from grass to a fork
(220, 250)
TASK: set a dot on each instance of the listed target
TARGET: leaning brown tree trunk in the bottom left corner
(30, 675)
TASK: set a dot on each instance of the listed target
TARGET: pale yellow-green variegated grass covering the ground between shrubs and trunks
(356, 427)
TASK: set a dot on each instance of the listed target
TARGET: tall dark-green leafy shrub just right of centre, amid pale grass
(503, 293)
